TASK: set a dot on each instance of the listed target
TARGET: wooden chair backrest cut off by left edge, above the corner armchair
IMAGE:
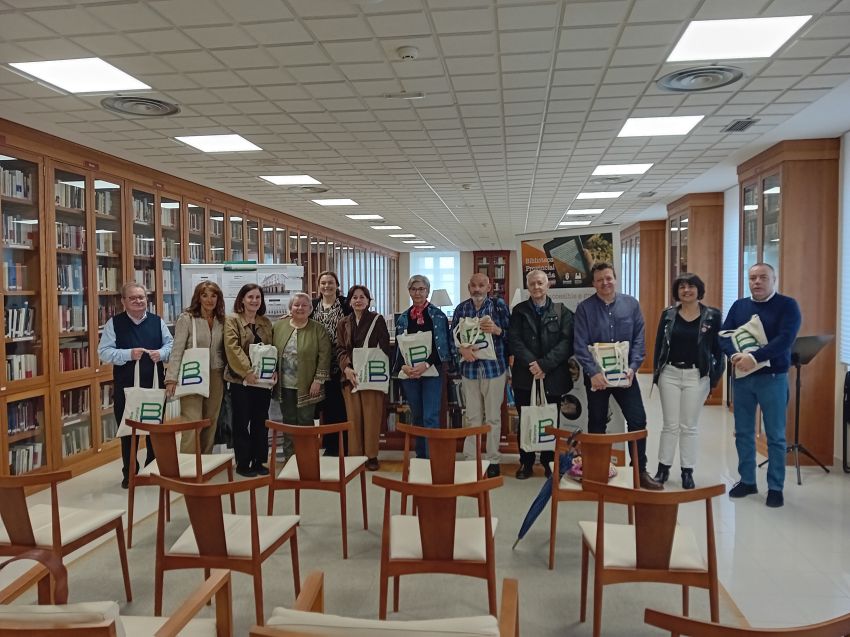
(15, 513)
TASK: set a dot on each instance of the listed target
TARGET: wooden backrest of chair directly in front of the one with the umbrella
(656, 514)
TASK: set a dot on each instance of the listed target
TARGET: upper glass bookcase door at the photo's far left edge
(21, 269)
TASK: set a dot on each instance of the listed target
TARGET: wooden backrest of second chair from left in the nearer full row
(206, 514)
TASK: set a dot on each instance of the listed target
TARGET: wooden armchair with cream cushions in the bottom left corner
(101, 619)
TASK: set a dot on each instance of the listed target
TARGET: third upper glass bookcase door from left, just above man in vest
(108, 238)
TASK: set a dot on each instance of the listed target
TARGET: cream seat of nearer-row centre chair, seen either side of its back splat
(470, 545)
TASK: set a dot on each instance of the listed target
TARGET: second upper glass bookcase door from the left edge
(72, 271)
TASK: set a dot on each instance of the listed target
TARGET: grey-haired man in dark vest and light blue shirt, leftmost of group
(134, 337)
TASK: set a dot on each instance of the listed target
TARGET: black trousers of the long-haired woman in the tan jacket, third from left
(250, 411)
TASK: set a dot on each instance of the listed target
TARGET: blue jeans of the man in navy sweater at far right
(770, 392)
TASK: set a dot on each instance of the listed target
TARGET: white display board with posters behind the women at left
(278, 280)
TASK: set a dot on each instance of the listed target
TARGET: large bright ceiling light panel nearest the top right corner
(735, 39)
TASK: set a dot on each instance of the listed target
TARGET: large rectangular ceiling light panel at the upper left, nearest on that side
(81, 75)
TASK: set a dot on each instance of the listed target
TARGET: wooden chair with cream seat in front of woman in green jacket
(308, 469)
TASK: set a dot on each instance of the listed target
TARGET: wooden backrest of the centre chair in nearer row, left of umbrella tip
(436, 506)
